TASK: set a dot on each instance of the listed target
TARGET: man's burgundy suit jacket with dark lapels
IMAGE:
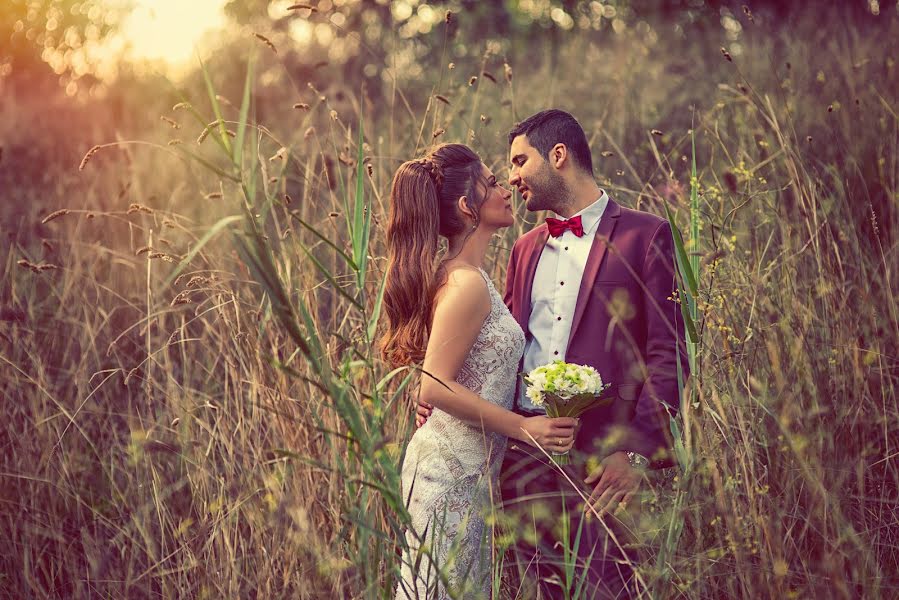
(625, 324)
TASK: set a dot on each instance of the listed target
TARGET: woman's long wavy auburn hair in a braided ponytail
(423, 206)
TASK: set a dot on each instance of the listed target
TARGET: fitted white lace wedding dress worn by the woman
(450, 473)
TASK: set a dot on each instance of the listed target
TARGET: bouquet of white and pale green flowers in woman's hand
(565, 390)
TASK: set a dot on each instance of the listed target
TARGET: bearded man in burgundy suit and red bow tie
(593, 288)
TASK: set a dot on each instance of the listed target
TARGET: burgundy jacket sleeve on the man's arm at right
(659, 400)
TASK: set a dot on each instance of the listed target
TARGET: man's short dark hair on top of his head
(550, 127)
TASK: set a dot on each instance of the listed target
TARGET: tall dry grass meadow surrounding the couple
(193, 402)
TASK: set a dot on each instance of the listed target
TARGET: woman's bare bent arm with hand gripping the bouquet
(460, 310)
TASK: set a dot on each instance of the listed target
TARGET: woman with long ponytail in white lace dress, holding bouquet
(447, 315)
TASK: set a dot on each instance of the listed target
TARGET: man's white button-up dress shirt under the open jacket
(554, 293)
